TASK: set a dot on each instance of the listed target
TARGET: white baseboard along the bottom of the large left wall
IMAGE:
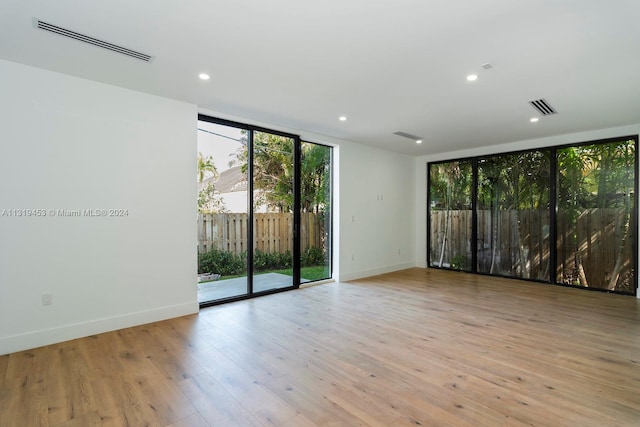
(15, 343)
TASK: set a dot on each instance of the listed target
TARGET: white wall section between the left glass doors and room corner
(377, 202)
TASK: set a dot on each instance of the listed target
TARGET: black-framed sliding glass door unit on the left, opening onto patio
(264, 199)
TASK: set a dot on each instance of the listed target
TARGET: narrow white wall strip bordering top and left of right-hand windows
(421, 170)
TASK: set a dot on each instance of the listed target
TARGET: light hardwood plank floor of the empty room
(417, 347)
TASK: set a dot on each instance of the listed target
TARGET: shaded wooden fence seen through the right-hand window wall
(516, 243)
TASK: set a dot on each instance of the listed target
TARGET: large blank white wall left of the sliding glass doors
(68, 143)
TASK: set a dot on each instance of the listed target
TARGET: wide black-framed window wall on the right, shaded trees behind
(564, 215)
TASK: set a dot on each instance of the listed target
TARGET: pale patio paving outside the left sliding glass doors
(226, 288)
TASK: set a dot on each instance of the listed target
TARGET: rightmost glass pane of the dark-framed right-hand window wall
(595, 208)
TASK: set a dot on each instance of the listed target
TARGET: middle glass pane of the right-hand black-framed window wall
(513, 219)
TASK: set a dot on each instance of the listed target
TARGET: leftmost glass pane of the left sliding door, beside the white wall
(222, 212)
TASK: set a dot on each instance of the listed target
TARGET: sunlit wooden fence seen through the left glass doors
(273, 232)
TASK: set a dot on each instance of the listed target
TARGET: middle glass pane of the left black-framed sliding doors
(273, 205)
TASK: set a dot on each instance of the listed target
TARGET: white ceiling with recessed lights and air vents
(388, 65)
